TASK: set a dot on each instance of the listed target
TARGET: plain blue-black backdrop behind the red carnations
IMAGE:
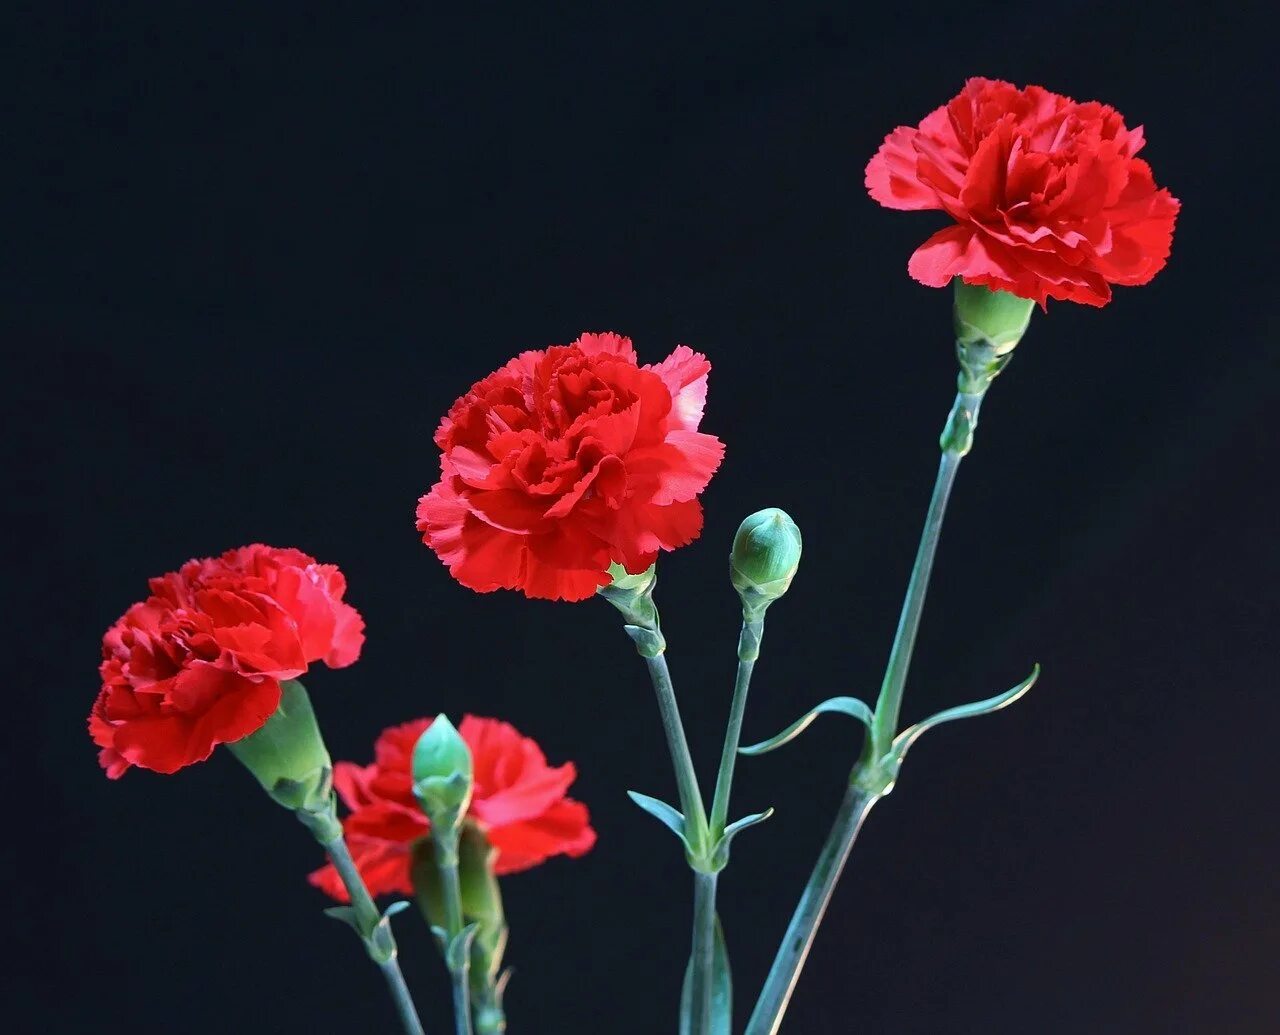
(255, 255)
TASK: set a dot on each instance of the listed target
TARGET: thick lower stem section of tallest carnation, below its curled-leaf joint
(767, 1016)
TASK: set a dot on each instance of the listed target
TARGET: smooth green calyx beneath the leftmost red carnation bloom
(289, 755)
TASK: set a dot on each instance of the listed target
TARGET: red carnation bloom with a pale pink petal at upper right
(566, 460)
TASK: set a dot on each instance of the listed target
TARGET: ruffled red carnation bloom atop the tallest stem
(1048, 198)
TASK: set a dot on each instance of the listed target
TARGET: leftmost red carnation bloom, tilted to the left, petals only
(200, 662)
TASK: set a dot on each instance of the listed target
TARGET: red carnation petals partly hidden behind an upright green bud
(519, 802)
